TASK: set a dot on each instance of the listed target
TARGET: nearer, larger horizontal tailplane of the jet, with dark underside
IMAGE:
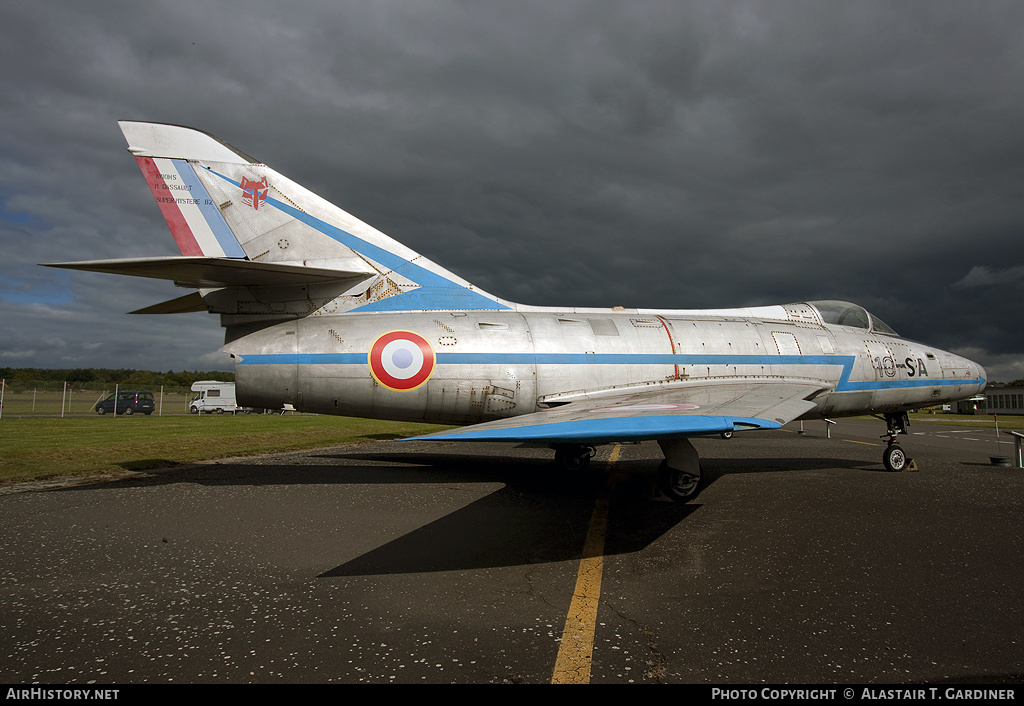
(217, 272)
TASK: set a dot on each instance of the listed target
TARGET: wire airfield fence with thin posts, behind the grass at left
(49, 398)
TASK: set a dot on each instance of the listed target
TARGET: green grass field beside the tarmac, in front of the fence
(39, 448)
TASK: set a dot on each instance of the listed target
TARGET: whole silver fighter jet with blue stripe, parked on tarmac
(329, 315)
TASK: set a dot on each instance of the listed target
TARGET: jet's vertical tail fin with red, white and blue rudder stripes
(219, 202)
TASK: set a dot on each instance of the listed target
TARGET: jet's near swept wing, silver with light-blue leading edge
(645, 417)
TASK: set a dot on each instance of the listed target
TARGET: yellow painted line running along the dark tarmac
(576, 652)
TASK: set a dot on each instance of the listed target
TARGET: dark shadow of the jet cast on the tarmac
(540, 515)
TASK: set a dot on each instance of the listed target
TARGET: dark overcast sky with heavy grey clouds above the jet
(671, 155)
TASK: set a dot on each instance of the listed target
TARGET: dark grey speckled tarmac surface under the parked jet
(802, 562)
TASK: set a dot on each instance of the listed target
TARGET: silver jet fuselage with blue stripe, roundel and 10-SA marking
(489, 365)
